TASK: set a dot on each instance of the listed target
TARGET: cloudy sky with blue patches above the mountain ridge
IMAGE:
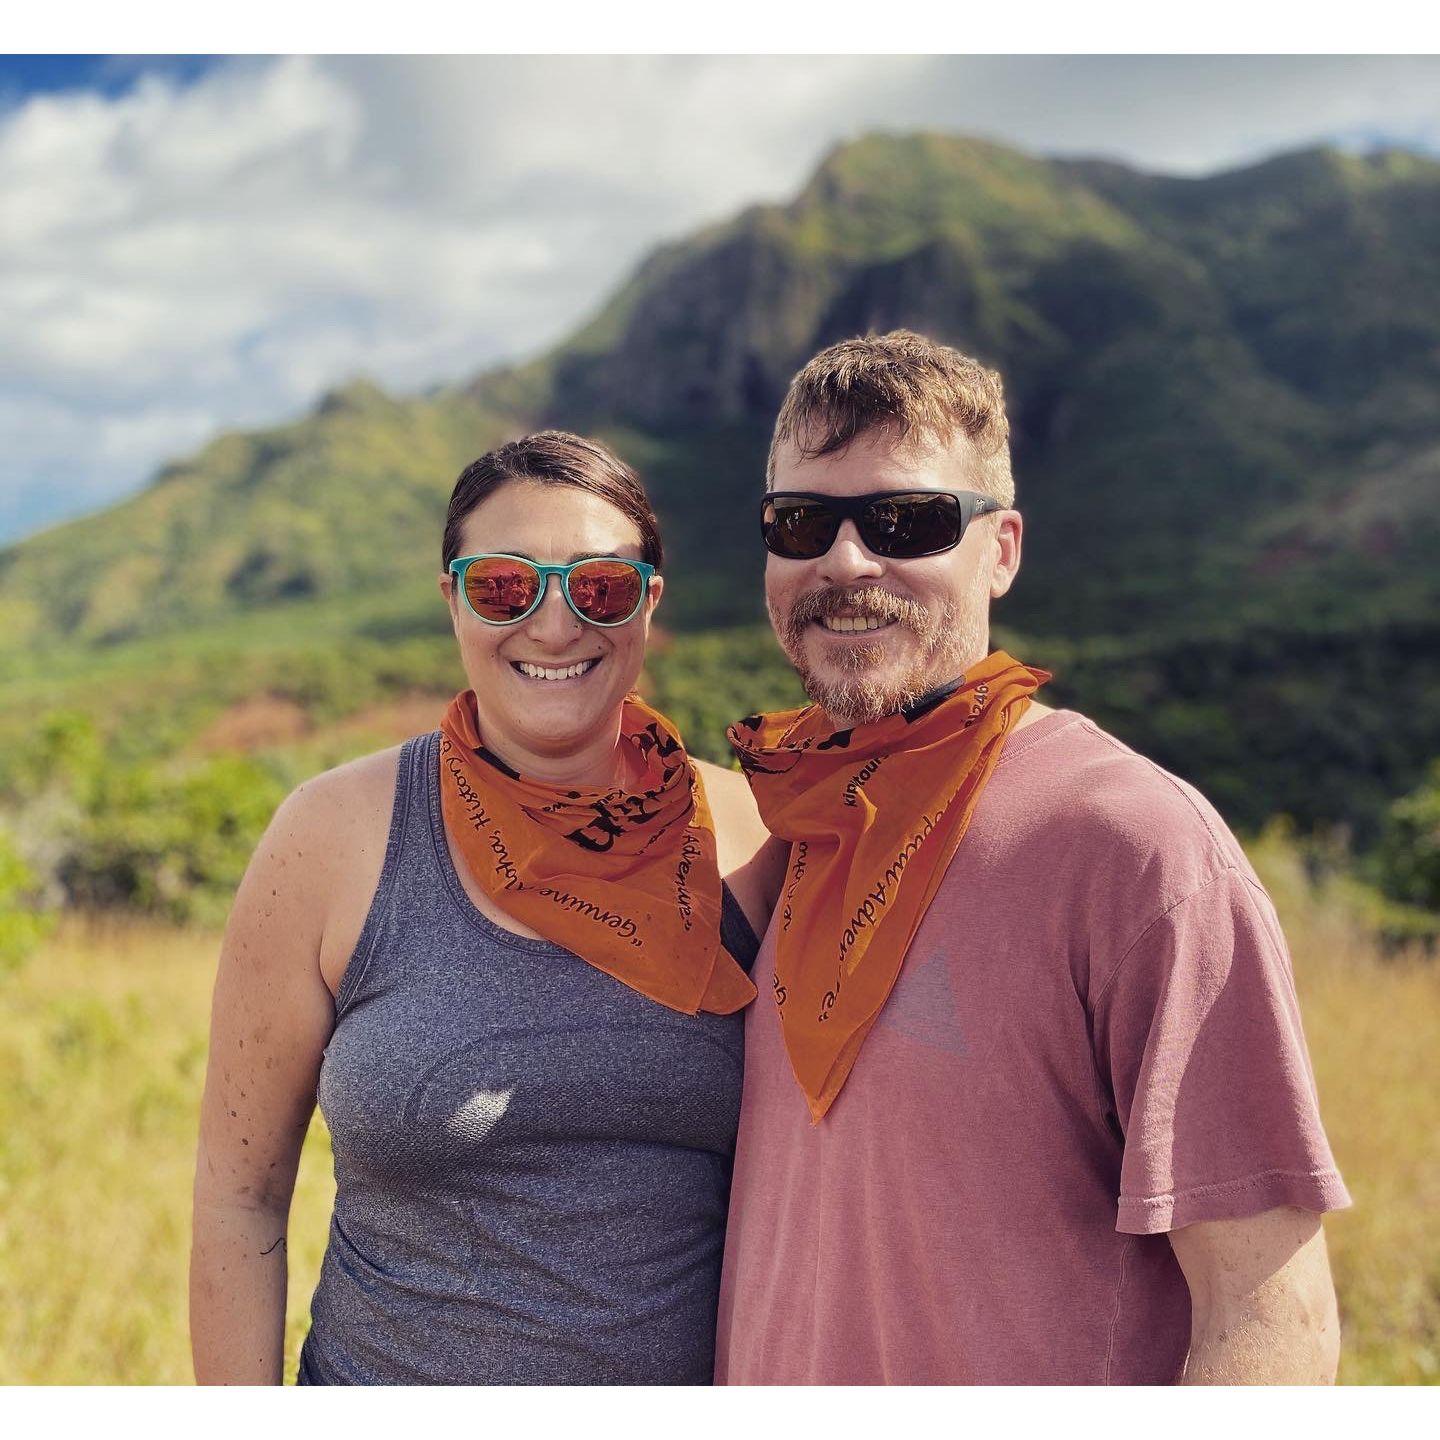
(191, 244)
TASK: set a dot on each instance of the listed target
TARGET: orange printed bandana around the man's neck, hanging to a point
(873, 816)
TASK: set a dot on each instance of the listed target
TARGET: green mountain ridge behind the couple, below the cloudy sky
(1226, 440)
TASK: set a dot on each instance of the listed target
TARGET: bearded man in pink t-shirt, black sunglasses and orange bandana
(1030, 1101)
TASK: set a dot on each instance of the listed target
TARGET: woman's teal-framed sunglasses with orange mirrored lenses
(503, 590)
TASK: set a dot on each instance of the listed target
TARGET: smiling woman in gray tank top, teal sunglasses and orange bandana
(498, 950)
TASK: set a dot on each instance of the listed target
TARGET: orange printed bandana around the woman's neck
(627, 881)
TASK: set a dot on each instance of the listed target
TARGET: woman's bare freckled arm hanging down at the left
(271, 1020)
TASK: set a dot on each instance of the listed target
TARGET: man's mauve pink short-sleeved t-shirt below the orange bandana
(1094, 1040)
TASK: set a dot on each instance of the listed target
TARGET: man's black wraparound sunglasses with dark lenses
(898, 525)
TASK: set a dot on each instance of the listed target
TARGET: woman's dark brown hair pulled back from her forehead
(554, 459)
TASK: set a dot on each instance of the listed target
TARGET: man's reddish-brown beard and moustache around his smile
(951, 640)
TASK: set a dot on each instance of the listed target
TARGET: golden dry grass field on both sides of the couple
(103, 1039)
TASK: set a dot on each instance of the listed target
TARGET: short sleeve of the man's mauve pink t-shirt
(1199, 1036)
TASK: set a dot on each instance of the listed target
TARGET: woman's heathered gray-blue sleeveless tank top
(532, 1160)
